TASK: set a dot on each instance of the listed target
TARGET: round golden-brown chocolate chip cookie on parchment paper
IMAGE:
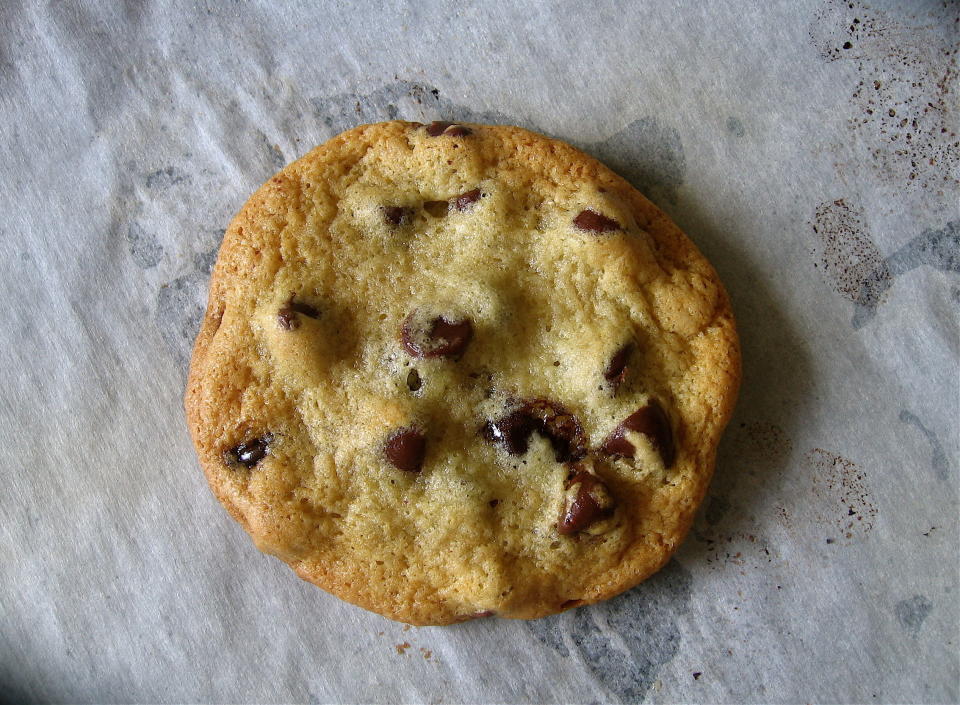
(455, 370)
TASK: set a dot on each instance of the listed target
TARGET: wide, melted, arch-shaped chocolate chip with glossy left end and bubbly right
(550, 420)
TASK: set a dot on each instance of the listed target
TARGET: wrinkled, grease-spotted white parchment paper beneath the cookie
(809, 148)
